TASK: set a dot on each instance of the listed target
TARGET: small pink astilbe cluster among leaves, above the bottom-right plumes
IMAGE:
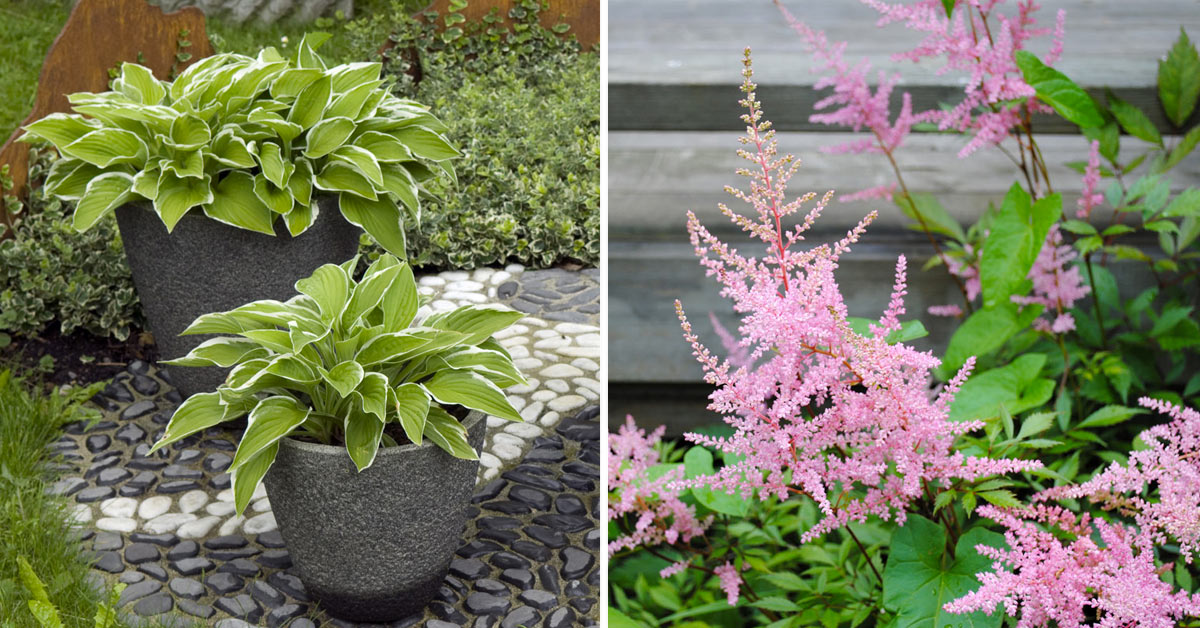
(1058, 284)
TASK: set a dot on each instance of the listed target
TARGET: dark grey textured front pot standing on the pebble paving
(373, 547)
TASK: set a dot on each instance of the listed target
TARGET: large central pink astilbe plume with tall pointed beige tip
(849, 416)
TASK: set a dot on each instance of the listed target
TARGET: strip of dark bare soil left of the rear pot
(79, 358)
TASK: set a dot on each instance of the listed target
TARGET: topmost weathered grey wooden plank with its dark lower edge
(676, 64)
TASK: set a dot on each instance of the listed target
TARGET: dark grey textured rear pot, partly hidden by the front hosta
(208, 267)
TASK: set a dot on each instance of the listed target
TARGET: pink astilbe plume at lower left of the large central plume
(662, 516)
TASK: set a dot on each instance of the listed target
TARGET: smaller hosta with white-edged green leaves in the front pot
(341, 363)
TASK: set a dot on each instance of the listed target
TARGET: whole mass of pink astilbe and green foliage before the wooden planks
(1042, 473)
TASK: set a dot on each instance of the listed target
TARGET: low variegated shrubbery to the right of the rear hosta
(524, 105)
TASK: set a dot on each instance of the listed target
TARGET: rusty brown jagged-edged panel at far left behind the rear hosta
(100, 35)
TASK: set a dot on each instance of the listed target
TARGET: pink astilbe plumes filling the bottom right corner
(1046, 578)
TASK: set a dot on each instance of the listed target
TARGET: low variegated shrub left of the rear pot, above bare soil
(49, 272)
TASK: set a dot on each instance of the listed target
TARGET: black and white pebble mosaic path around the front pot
(164, 524)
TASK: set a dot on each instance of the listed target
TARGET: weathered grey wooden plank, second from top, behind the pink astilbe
(655, 178)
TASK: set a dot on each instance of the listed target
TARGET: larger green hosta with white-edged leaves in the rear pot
(248, 141)
